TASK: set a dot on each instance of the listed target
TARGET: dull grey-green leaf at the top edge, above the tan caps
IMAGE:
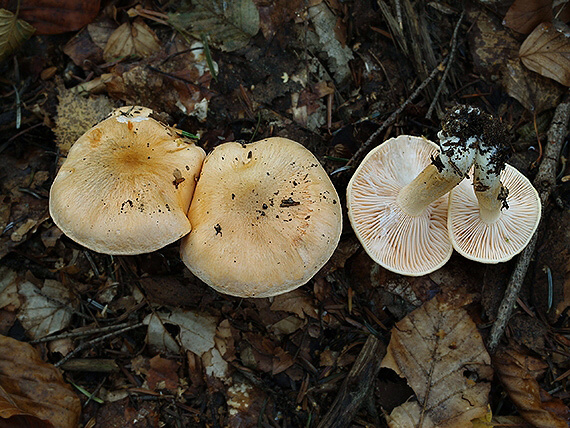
(228, 25)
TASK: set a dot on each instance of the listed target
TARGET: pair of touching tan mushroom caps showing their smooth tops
(264, 216)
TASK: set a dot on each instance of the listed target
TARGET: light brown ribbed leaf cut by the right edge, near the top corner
(546, 51)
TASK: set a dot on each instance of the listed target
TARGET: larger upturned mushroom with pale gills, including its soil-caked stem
(397, 198)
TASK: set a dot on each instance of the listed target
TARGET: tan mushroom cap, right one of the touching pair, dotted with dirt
(265, 218)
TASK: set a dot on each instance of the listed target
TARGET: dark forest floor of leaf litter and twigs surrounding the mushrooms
(139, 341)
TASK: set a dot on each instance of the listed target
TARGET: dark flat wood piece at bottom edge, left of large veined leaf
(356, 386)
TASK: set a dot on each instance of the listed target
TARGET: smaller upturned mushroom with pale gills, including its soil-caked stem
(493, 220)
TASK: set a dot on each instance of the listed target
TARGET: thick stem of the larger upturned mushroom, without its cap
(443, 174)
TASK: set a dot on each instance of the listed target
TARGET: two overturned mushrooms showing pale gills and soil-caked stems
(410, 206)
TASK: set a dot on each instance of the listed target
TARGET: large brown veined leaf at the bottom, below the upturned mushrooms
(440, 352)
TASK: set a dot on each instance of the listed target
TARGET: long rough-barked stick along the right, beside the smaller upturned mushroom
(544, 182)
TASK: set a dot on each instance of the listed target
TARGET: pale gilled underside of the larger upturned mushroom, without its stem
(405, 244)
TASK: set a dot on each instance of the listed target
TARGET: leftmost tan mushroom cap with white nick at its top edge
(126, 185)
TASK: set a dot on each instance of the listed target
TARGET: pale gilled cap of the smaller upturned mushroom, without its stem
(501, 240)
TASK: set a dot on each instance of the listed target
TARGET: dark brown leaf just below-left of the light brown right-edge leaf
(535, 92)
